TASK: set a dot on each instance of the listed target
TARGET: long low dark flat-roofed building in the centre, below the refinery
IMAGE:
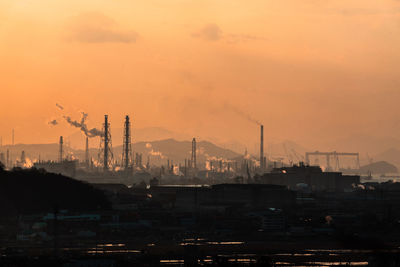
(224, 196)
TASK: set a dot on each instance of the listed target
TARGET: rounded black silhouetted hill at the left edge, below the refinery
(33, 191)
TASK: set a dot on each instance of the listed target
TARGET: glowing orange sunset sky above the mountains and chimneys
(310, 70)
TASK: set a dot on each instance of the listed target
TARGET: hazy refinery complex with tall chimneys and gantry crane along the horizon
(130, 169)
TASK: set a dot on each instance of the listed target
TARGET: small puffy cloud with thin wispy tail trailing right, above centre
(212, 32)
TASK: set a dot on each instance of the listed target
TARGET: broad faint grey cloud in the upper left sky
(98, 28)
